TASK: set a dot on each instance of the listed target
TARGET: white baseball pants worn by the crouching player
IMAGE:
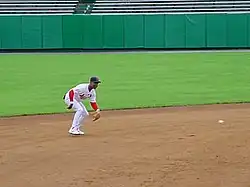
(80, 112)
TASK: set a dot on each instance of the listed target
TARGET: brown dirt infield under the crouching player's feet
(170, 147)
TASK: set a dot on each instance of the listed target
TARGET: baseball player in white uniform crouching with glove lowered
(73, 99)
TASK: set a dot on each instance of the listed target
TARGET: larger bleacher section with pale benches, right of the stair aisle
(169, 6)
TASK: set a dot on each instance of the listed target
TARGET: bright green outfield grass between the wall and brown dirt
(33, 84)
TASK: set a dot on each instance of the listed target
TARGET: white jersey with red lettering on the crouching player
(81, 92)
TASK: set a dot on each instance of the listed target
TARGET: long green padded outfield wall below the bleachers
(125, 31)
